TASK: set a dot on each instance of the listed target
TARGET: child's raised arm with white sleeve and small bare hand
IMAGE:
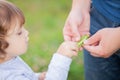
(61, 60)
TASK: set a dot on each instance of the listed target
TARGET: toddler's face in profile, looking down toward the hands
(18, 41)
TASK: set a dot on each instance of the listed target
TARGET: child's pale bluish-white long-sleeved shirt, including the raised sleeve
(17, 69)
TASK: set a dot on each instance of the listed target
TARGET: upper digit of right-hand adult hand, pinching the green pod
(93, 39)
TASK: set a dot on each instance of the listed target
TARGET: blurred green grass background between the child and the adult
(45, 20)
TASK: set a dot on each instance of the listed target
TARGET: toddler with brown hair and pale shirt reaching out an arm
(14, 41)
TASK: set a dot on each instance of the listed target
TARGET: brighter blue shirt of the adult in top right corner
(109, 8)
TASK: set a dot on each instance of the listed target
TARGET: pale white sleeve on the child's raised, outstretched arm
(58, 68)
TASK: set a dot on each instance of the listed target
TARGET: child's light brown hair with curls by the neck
(9, 13)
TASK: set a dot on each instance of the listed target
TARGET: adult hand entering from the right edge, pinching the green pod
(104, 42)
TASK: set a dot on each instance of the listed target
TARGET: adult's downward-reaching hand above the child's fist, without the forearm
(77, 24)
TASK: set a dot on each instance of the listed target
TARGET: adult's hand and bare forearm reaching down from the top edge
(78, 21)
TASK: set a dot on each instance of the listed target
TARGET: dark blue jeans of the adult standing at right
(102, 68)
